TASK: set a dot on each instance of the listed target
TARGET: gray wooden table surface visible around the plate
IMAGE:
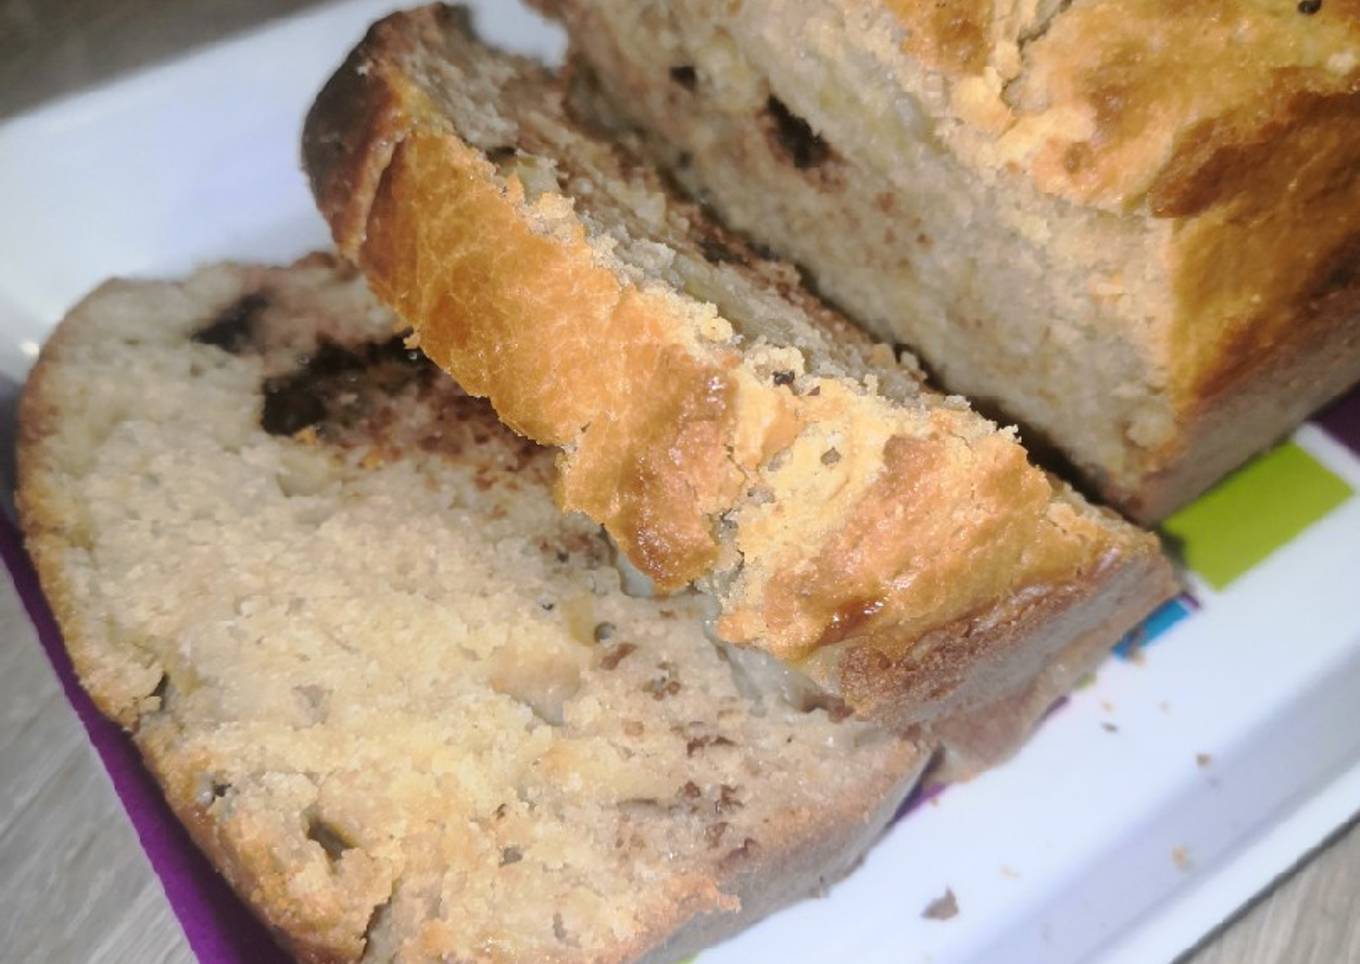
(74, 882)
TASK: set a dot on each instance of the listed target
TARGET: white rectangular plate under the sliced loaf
(1146, 811)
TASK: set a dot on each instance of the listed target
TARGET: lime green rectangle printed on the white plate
(1255, 512)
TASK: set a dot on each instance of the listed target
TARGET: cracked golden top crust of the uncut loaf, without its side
(1113, 103)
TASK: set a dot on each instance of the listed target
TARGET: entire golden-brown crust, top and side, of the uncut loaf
(1236, 126)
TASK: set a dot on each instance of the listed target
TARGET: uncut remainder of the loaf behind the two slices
(1134, 226)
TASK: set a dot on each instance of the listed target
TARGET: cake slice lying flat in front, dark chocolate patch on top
(396, 695)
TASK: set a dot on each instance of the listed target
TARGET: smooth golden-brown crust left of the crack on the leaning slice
(543, 372)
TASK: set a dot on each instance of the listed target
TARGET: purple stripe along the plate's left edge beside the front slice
(220, 928)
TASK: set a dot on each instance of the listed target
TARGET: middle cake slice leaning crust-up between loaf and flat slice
(726, 428)
